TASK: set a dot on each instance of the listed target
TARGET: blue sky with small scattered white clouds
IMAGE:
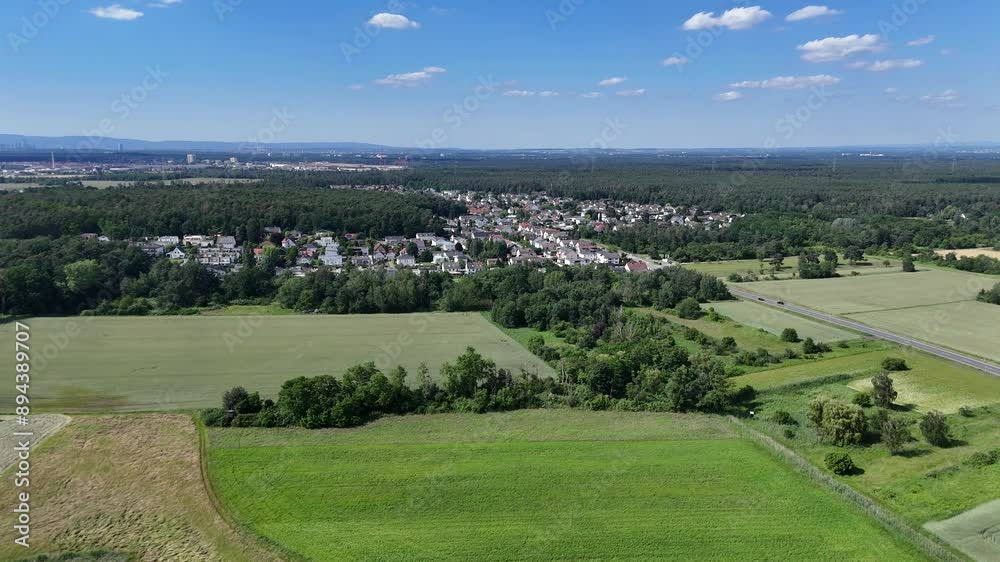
(516, 73)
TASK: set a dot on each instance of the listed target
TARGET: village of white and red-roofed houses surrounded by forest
(499, 229)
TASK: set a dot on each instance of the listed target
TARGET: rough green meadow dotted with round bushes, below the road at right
(925, 483)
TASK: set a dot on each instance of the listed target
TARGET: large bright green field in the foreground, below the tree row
(539, 485)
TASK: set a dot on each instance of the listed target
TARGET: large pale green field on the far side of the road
(934, 305)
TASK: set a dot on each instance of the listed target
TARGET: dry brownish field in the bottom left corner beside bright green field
(127, 484)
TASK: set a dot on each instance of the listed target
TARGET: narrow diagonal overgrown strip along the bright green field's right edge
(886, 519)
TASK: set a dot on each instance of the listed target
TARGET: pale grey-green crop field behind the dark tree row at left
(165, 363)
